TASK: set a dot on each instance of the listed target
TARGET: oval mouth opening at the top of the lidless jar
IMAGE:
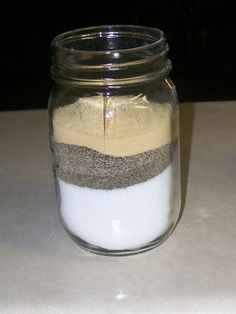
(109, 39)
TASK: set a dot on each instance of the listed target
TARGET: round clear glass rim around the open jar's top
(154, 37)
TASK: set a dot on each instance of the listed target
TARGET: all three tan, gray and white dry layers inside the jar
(113, 159)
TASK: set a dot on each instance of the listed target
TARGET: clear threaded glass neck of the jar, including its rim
(110, 55)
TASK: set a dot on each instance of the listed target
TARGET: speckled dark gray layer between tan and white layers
(89, 168)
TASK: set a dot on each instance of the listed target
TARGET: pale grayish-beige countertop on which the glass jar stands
(194, 271)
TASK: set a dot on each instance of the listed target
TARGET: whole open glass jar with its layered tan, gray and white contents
(114, 138)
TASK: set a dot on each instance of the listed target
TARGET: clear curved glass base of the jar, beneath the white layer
(126, 252)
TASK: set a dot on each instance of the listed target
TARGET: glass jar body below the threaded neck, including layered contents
(116, 163)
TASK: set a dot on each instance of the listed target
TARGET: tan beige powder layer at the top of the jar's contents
(116, 126)
